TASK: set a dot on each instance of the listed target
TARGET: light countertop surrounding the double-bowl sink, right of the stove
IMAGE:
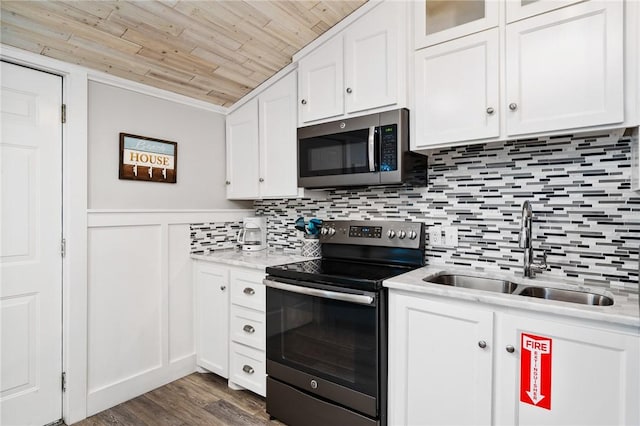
(624, 311)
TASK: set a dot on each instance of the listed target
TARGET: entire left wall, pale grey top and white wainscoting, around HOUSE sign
(140, 295)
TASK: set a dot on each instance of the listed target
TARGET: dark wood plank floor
(198, 399)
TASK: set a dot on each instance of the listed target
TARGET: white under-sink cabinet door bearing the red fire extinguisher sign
(594, 375)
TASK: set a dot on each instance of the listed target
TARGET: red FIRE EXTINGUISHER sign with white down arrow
(535, 370)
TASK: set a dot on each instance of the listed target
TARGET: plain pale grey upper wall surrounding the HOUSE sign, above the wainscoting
(201, 151)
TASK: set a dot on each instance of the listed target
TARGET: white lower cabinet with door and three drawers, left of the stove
(230, 317)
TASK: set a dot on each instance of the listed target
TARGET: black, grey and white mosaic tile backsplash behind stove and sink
(586, 216)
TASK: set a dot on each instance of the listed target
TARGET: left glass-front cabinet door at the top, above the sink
(437, 21)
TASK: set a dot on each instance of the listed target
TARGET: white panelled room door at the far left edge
(30, 260)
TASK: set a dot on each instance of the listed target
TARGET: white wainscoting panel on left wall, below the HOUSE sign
(140, 300)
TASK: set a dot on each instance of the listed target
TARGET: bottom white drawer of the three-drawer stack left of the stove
(247, 368)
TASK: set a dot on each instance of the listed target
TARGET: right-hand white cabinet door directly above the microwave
(374, 51)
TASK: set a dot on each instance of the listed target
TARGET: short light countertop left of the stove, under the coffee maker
(250, 259)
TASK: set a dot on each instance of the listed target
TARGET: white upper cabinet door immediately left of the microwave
(278, 152)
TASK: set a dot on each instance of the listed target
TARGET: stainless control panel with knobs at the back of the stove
(385, 233)
